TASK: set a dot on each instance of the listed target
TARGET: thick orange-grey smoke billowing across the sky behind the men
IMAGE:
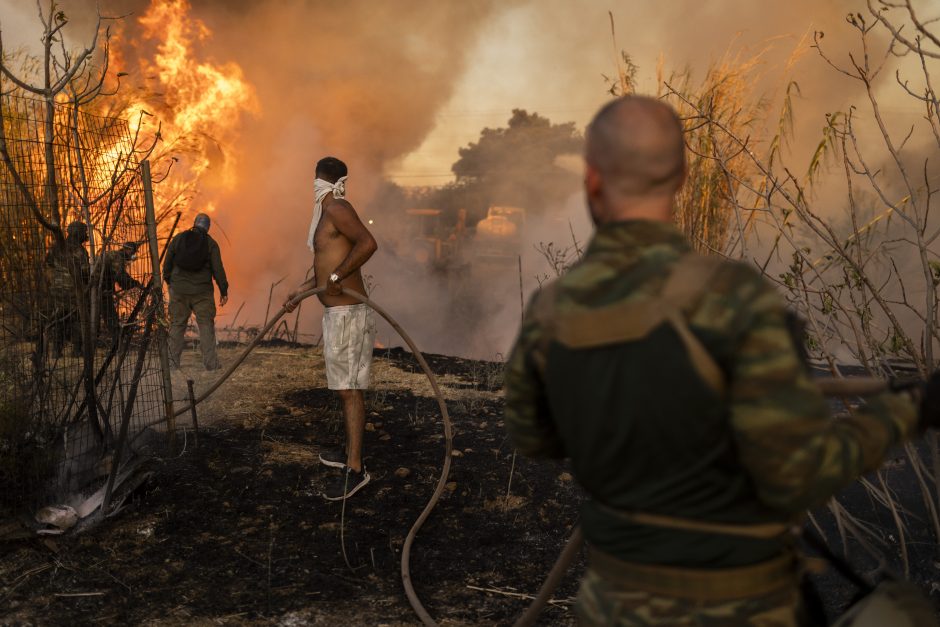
(364, 81)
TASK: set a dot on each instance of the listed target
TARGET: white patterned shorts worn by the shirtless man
(348, 336)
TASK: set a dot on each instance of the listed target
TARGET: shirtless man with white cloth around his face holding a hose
(341, 244)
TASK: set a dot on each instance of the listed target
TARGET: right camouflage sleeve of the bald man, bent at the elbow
(797, 455)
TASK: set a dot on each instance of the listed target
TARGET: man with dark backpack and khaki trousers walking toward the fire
(192, 261)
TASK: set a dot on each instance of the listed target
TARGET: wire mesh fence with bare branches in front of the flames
(79, 320)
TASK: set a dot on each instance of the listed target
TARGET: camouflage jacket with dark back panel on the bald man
(644, 431)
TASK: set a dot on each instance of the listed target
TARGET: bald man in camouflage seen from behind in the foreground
(671, 381)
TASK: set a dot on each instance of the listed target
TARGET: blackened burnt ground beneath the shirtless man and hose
(234, 531)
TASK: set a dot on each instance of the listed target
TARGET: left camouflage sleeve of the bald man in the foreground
(527, 416)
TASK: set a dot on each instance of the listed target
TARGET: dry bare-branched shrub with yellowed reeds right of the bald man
(862, 270)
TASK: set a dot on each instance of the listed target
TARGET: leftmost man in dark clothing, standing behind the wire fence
(67, 262)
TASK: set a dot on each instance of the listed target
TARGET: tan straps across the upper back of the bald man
(633, 320)
